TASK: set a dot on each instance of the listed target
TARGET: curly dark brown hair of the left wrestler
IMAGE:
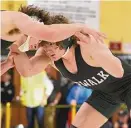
(33, 11)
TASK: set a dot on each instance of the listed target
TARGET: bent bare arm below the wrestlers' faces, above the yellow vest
(29, 67)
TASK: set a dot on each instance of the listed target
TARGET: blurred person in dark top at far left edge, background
(7, 93)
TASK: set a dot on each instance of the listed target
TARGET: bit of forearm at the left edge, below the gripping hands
(5, 66)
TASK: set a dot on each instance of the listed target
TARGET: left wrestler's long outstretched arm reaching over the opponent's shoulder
(51, 33)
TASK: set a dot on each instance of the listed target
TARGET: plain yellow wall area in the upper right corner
(115, 20)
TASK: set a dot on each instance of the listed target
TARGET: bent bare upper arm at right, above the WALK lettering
(103, 57)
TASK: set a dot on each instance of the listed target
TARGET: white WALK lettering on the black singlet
(94, 81)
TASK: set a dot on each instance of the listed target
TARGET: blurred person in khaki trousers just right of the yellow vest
(54, 76)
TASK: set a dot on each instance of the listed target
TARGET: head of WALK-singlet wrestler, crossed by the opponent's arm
(58, 49)
